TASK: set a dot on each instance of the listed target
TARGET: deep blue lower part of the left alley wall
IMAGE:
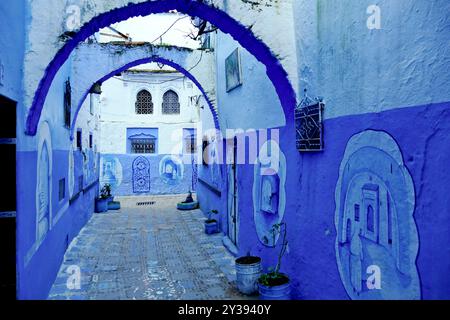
(38, 272)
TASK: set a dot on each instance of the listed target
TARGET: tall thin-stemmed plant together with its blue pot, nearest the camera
(275, 285)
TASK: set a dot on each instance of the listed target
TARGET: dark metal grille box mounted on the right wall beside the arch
(309, 125)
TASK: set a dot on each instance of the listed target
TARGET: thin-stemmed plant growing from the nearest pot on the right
(274, 277)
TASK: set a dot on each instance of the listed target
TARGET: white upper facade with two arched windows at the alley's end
(118, 111)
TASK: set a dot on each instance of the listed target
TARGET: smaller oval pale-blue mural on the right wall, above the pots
(269, 194)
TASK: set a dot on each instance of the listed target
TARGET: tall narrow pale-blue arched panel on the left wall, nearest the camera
(44, 183)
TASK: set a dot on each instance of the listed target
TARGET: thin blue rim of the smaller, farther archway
(144, 61)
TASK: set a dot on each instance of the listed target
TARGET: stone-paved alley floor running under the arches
(148, 252)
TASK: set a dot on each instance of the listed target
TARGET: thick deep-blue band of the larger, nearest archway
(220, 19)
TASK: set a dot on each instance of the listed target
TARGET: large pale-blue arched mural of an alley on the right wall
(374, 220)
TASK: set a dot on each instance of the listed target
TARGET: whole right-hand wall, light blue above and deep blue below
(393, 81)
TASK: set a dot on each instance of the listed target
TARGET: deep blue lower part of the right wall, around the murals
(310, 210)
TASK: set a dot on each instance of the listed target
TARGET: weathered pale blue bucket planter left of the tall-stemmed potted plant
(248, 271)
